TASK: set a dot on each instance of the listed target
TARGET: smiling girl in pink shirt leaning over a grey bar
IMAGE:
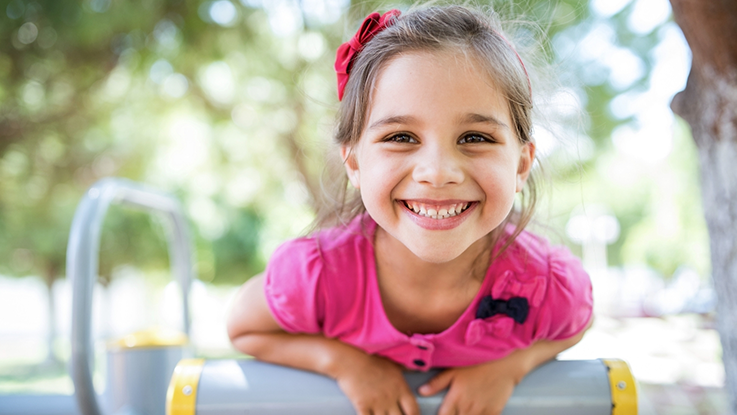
(433, 268)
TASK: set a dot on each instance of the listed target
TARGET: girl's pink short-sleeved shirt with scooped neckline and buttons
(327, 284)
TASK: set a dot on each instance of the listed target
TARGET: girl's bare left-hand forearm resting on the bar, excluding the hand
(315, 353)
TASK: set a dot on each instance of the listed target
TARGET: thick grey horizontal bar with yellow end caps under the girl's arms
(230, 387)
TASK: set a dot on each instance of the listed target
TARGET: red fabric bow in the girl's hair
(371, 25)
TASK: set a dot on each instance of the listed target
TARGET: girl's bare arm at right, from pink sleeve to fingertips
(486, 388)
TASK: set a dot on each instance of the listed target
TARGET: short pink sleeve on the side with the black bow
(568, 304)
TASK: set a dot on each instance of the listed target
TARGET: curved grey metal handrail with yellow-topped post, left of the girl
(139, 365)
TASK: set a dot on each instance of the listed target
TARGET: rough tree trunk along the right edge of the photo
(709, 105)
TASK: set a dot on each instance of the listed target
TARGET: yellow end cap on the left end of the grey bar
(181, 397)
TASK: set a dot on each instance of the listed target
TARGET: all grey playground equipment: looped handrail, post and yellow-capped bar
(145, 379)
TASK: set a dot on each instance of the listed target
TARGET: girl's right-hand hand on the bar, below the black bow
(480, 389)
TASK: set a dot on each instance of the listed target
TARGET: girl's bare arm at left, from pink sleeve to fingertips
(372, 383)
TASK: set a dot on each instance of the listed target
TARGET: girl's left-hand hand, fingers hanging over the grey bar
(375, 386)
